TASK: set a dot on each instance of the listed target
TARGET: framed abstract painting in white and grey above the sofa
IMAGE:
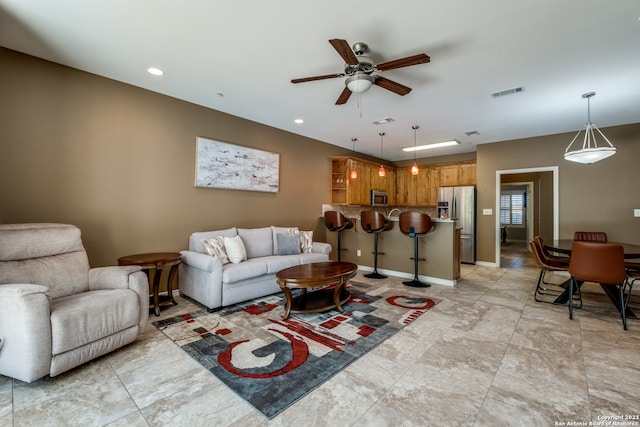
(234, 167)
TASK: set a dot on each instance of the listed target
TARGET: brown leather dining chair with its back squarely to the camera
(599, 263)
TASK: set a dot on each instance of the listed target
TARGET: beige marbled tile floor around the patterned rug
(487, 355)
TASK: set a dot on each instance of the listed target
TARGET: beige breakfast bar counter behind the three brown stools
(440, 247)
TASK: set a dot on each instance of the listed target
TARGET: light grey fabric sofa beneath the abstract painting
(211, 282)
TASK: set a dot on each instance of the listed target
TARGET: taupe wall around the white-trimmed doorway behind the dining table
(598, 197)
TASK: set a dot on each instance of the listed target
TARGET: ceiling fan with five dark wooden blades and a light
(360, 68)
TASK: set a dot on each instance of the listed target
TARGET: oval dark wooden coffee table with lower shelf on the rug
(329, 277)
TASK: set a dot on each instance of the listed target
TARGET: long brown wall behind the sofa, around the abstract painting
(118, 161)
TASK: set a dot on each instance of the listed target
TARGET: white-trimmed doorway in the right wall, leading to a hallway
(540, 186)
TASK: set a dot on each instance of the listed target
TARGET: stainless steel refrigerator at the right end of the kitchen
(460, 203)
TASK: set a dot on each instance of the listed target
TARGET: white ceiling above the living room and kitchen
(249, 50)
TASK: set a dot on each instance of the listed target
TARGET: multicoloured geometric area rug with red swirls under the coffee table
(271, 362)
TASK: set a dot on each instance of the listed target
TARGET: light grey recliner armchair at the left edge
(56, 312)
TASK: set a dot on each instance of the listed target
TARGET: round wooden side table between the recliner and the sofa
(156, 261)
